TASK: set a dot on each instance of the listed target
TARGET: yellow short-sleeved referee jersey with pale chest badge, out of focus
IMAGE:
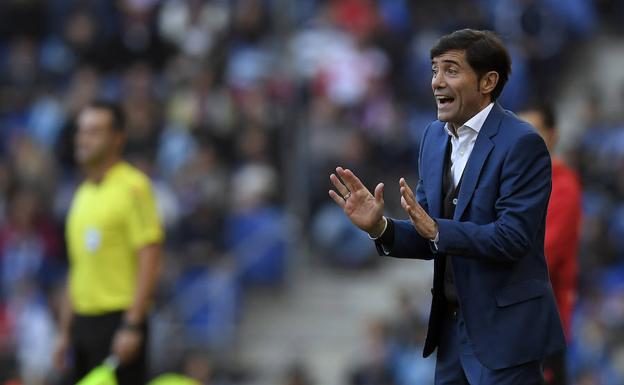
(108, 223)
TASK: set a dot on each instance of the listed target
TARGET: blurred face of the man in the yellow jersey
(96, 139)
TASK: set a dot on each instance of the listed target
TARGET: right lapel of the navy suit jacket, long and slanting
(483, 147)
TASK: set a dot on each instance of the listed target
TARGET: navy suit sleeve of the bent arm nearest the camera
(524, 189)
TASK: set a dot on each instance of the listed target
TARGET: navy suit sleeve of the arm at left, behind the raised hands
(404, 241)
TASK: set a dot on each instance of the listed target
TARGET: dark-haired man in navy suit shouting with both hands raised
(479, 212)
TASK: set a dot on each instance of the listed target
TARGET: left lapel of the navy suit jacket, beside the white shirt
(435, 170)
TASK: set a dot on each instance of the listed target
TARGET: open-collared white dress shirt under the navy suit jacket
(462, 145)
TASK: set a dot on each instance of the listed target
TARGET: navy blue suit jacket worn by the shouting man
(495, 240)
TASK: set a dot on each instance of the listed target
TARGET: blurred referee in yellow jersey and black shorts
(113, 237)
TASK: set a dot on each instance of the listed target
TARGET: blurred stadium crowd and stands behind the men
(238, 111)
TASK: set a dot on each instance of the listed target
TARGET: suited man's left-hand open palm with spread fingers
(360, 206)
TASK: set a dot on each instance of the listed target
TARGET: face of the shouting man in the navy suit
(456, 88)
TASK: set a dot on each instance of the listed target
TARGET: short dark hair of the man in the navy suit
(484, 52)
